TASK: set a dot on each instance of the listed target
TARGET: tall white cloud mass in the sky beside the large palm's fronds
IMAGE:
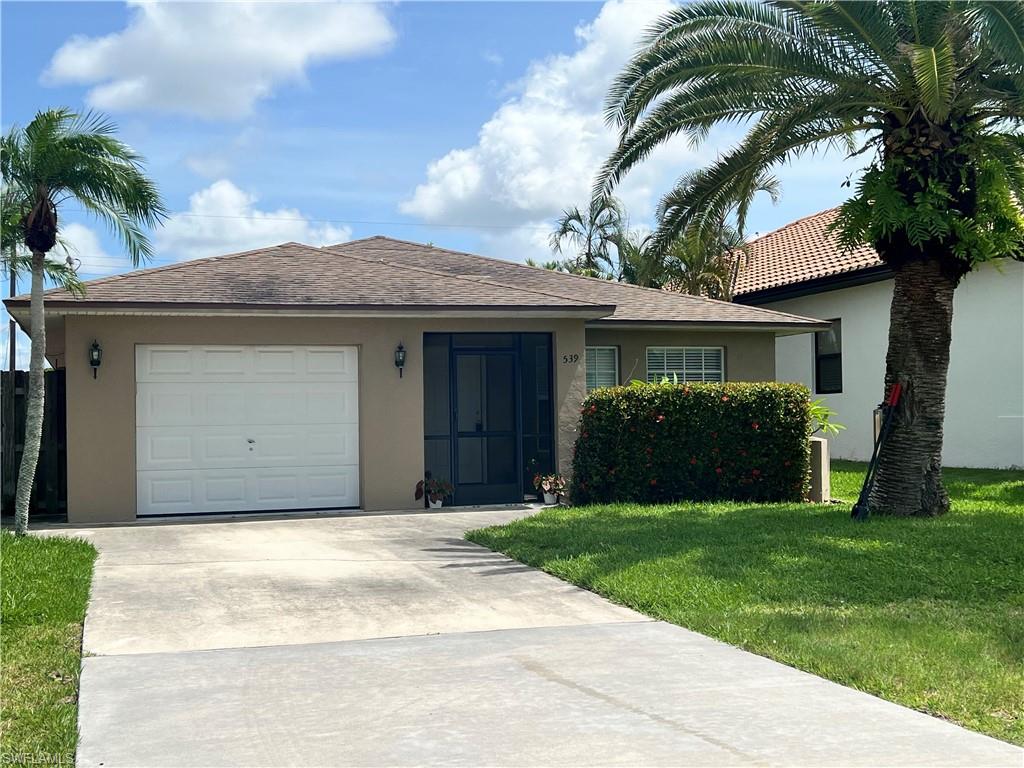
(541, 150)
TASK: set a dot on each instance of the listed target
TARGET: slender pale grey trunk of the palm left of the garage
(36, 396)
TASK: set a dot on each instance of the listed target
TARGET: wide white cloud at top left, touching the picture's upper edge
(215, 60)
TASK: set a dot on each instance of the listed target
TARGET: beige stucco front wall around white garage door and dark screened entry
(102, 412)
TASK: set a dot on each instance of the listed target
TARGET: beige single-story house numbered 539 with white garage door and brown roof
(269, 380)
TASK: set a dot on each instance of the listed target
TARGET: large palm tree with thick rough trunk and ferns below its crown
(933, 91)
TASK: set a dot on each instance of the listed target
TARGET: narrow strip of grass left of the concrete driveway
(46, 586)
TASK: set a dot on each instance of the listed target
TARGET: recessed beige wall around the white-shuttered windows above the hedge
(749, 356)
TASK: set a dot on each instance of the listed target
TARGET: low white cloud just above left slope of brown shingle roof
(224, 219)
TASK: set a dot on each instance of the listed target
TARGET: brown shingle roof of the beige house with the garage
(381, 273)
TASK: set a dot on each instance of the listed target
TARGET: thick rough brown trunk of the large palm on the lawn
(910, 470)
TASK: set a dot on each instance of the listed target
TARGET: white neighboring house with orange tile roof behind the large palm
(801, 270)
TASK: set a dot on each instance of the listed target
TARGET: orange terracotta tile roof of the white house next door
(799, 252)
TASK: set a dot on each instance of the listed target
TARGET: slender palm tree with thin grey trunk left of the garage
(62, 156)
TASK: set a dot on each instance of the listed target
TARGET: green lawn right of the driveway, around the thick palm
(927, 613)
